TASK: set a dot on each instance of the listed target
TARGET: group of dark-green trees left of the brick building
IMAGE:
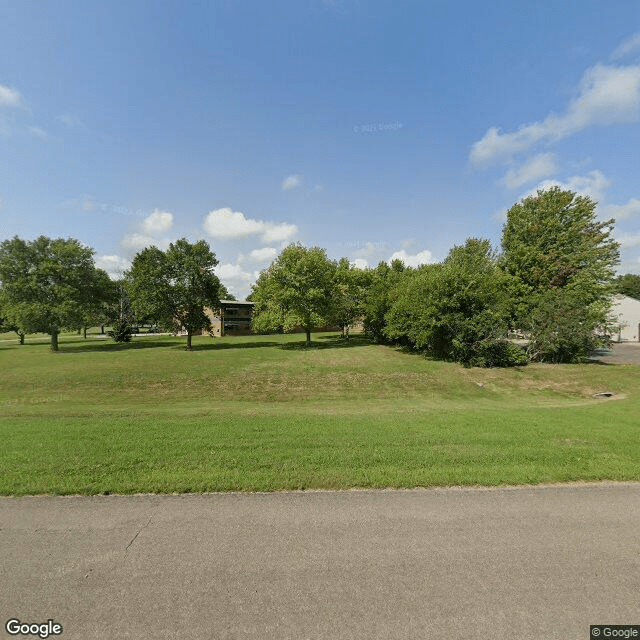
(50, 285)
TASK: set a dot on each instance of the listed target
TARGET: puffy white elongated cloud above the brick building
(227, 224)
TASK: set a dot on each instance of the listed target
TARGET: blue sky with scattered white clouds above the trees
(373, 129)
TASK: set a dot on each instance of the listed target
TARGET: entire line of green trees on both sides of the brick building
(551, 282)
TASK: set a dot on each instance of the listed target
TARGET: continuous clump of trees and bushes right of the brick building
(551, 282)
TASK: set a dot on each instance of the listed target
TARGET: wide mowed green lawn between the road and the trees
(263, 413)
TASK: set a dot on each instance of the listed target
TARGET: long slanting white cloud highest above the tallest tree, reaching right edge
(606, 95)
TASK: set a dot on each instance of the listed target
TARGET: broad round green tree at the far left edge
(48, 285)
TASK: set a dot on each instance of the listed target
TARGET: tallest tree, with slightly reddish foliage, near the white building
(557, 250)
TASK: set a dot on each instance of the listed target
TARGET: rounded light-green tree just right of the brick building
(296, 290)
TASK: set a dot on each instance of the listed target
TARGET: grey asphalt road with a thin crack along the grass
(517, 563)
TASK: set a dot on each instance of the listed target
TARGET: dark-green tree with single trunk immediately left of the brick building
(173, 287)
